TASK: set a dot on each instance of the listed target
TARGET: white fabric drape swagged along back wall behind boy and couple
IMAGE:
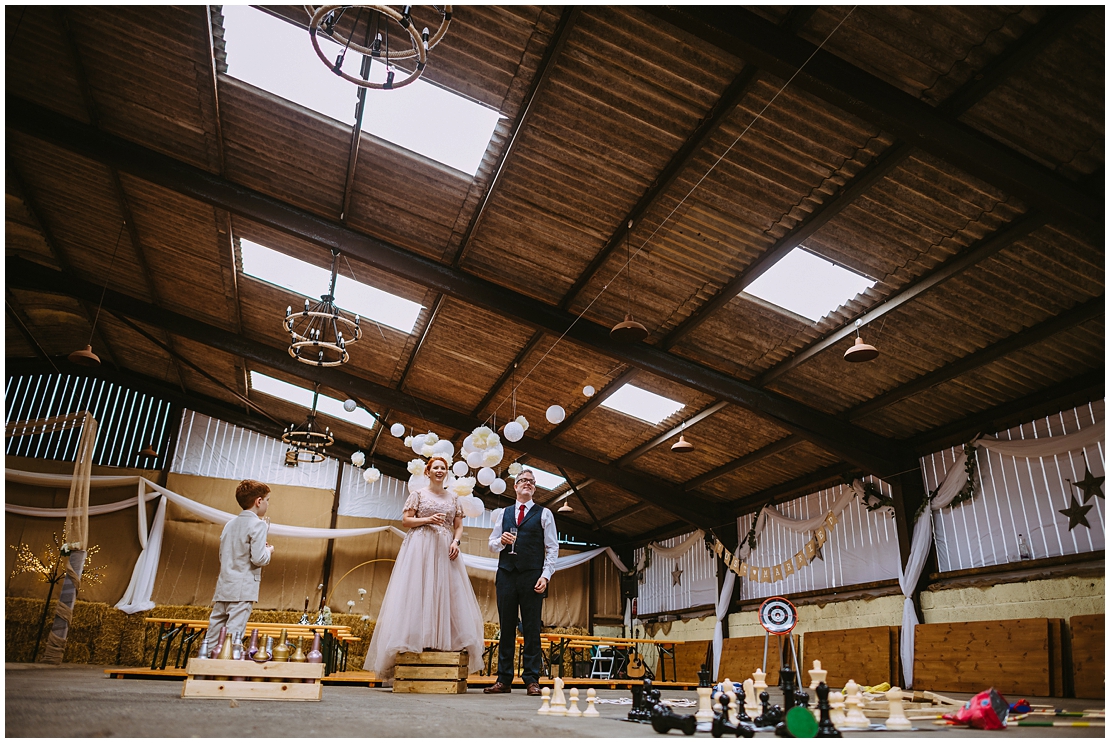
(142, 587)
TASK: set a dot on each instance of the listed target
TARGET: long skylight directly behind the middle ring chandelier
(312, 282)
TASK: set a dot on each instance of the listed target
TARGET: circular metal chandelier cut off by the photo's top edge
(326, 18)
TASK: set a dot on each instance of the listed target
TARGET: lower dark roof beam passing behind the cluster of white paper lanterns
(32, 276)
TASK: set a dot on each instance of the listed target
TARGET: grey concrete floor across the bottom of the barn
(80, 701)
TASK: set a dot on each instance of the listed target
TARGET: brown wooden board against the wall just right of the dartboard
(869, 656)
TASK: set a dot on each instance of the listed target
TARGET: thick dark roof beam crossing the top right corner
(754, 39)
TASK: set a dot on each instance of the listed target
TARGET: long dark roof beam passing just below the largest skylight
(870, 451)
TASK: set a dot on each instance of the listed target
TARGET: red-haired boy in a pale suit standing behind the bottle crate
(244, 551)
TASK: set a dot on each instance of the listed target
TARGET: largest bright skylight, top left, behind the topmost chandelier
(278, 57)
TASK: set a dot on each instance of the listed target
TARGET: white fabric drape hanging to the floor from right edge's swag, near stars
(955, 479)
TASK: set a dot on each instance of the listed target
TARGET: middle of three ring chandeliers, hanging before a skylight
(321, 334)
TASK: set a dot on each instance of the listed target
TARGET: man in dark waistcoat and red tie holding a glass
(522, 580)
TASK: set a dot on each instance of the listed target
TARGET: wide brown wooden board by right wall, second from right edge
(1015, 657)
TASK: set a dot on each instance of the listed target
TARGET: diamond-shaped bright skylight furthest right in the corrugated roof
(809, 285)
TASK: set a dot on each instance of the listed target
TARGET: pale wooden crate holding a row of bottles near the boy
(300, 682)
